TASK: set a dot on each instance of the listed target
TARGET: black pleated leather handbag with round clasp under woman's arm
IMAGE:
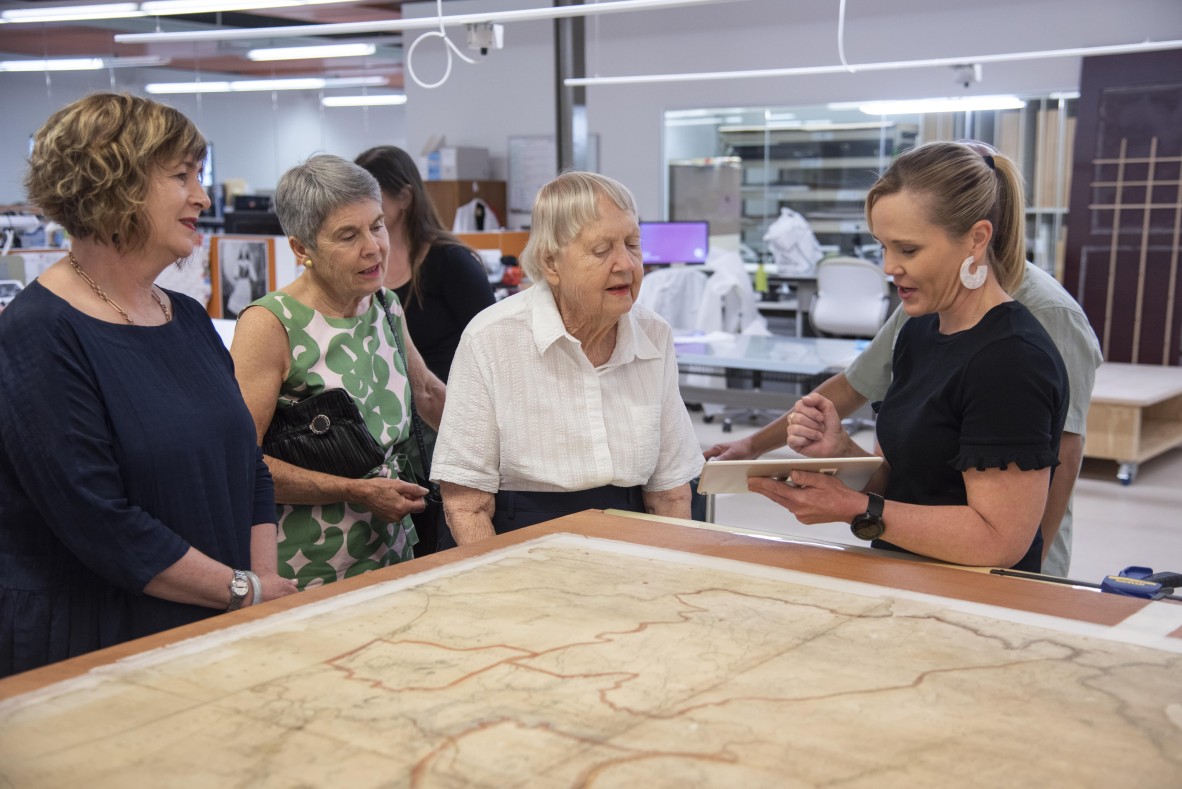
(324, 433)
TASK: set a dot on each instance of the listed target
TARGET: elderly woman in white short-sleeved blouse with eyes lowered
(564, 397)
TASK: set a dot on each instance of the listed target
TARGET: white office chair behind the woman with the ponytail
(853, 301)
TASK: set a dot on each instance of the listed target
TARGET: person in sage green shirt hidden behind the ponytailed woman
(871, 374)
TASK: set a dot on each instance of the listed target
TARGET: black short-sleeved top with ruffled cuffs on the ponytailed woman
(992, 395)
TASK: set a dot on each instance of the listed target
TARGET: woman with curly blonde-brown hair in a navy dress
(133, 494)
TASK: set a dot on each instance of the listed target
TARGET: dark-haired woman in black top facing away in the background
(441, 283)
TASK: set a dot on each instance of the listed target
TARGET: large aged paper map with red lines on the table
(581, 662)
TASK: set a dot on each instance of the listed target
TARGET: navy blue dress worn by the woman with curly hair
(121, 447)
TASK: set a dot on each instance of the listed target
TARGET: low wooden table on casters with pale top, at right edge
(1135, 415)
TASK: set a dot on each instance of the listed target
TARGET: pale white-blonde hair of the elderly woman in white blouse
(562, 210)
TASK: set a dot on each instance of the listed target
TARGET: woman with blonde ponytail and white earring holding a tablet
(971, 425)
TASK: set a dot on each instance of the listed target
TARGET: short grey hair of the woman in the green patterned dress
(310, 192)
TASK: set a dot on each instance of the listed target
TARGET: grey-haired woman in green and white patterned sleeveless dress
(329, 330)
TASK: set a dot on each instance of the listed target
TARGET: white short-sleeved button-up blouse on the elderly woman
(527, 410)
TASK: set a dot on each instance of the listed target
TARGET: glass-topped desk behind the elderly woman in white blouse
(804, 361)
